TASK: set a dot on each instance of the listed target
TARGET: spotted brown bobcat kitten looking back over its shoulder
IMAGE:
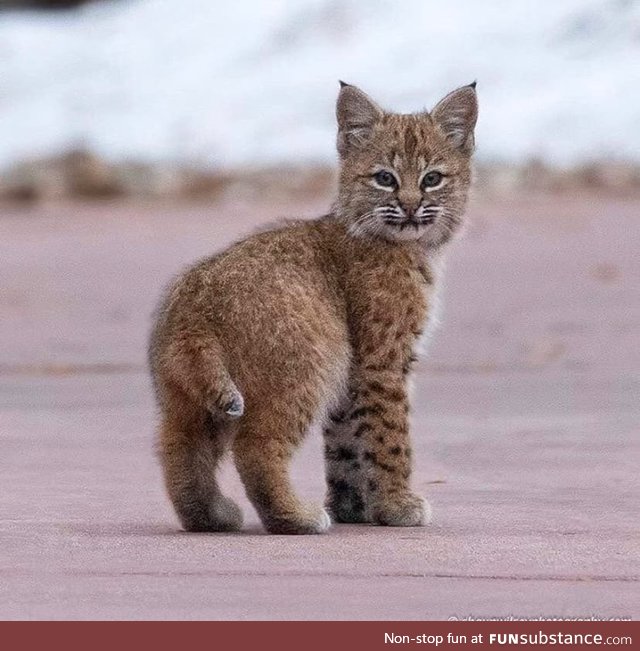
(316, 321)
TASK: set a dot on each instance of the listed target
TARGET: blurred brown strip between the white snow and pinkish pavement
(83, 175)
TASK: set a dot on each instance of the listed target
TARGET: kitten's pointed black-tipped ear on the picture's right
(457, 114)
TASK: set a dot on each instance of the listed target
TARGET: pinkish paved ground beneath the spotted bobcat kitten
(526, 430)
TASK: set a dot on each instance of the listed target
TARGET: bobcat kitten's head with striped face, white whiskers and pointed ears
(405, 177)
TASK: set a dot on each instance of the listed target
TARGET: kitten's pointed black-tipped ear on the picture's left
(357, 114)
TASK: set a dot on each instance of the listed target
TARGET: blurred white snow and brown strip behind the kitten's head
(187, 98)
